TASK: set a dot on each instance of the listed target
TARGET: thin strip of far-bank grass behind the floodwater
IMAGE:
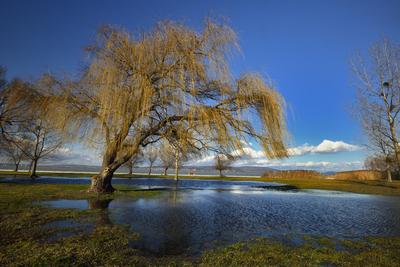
(378, 187)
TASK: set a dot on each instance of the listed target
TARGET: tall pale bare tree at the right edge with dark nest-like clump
(378, 92)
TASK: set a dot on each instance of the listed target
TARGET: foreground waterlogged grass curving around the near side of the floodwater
(26, 241)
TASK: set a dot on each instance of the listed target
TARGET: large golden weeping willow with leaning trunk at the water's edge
(137, 88)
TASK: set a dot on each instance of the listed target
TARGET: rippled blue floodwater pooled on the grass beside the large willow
(189, 220)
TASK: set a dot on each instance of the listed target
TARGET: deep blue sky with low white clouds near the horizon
(303, 46)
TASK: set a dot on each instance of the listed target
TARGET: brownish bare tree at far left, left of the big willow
(25, 126)
